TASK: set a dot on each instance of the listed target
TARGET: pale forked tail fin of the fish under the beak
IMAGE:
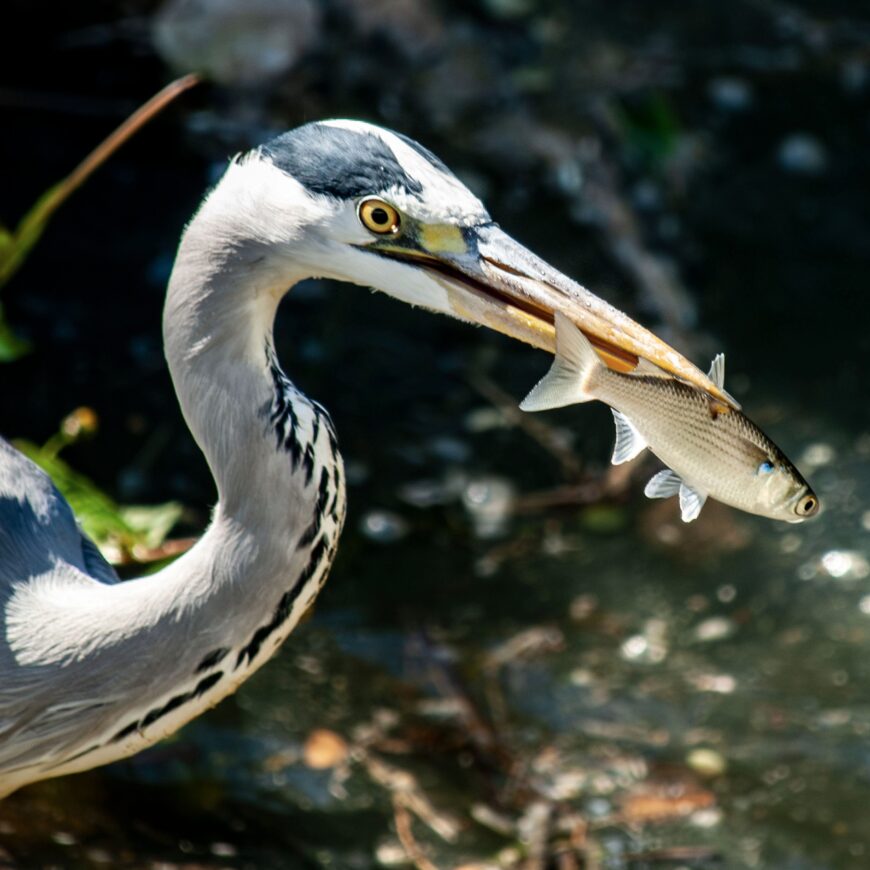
(566, 382)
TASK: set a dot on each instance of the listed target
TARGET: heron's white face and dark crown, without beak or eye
(324, 234)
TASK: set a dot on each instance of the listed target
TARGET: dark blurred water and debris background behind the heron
(518, 661)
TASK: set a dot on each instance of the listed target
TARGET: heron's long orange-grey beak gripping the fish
(493, 280)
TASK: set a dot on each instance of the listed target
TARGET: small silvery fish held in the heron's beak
(711, 449)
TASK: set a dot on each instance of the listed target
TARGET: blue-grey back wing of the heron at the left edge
(38, 531)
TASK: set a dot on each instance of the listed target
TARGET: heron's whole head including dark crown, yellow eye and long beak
(355, 202)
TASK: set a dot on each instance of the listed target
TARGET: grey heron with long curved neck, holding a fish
(93, 669)
